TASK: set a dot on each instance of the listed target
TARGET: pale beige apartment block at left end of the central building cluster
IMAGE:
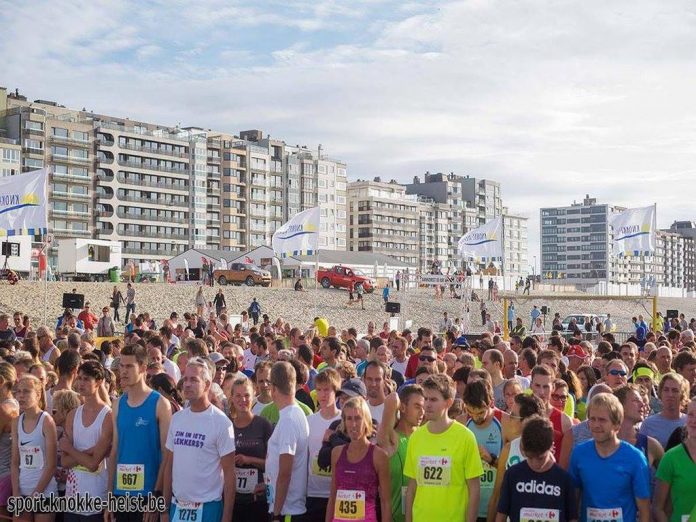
(384, 220)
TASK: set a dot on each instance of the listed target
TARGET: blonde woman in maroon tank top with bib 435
(359, 470)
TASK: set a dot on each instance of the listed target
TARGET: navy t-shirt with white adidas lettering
(526, 494)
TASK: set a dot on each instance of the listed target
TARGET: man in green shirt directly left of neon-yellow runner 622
(409, 404)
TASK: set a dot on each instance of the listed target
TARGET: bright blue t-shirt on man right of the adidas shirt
(610, 484)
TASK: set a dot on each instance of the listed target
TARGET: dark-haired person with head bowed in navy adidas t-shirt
(537, 488)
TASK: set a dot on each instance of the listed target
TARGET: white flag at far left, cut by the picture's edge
(23, 204)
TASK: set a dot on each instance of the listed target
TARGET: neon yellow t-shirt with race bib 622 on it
(441, 464)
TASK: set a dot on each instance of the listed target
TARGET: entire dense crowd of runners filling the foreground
(264, 420)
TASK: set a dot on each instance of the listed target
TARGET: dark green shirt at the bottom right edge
(679, 471)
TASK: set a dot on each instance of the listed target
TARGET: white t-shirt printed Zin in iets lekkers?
(198, 441)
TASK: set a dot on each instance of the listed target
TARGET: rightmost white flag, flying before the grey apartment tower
(634, 231)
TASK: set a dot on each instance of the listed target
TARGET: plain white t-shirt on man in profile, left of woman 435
(289, 437)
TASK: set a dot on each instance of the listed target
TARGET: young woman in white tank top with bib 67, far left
(33, 445)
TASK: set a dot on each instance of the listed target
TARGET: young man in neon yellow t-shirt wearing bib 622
(442, 461)
